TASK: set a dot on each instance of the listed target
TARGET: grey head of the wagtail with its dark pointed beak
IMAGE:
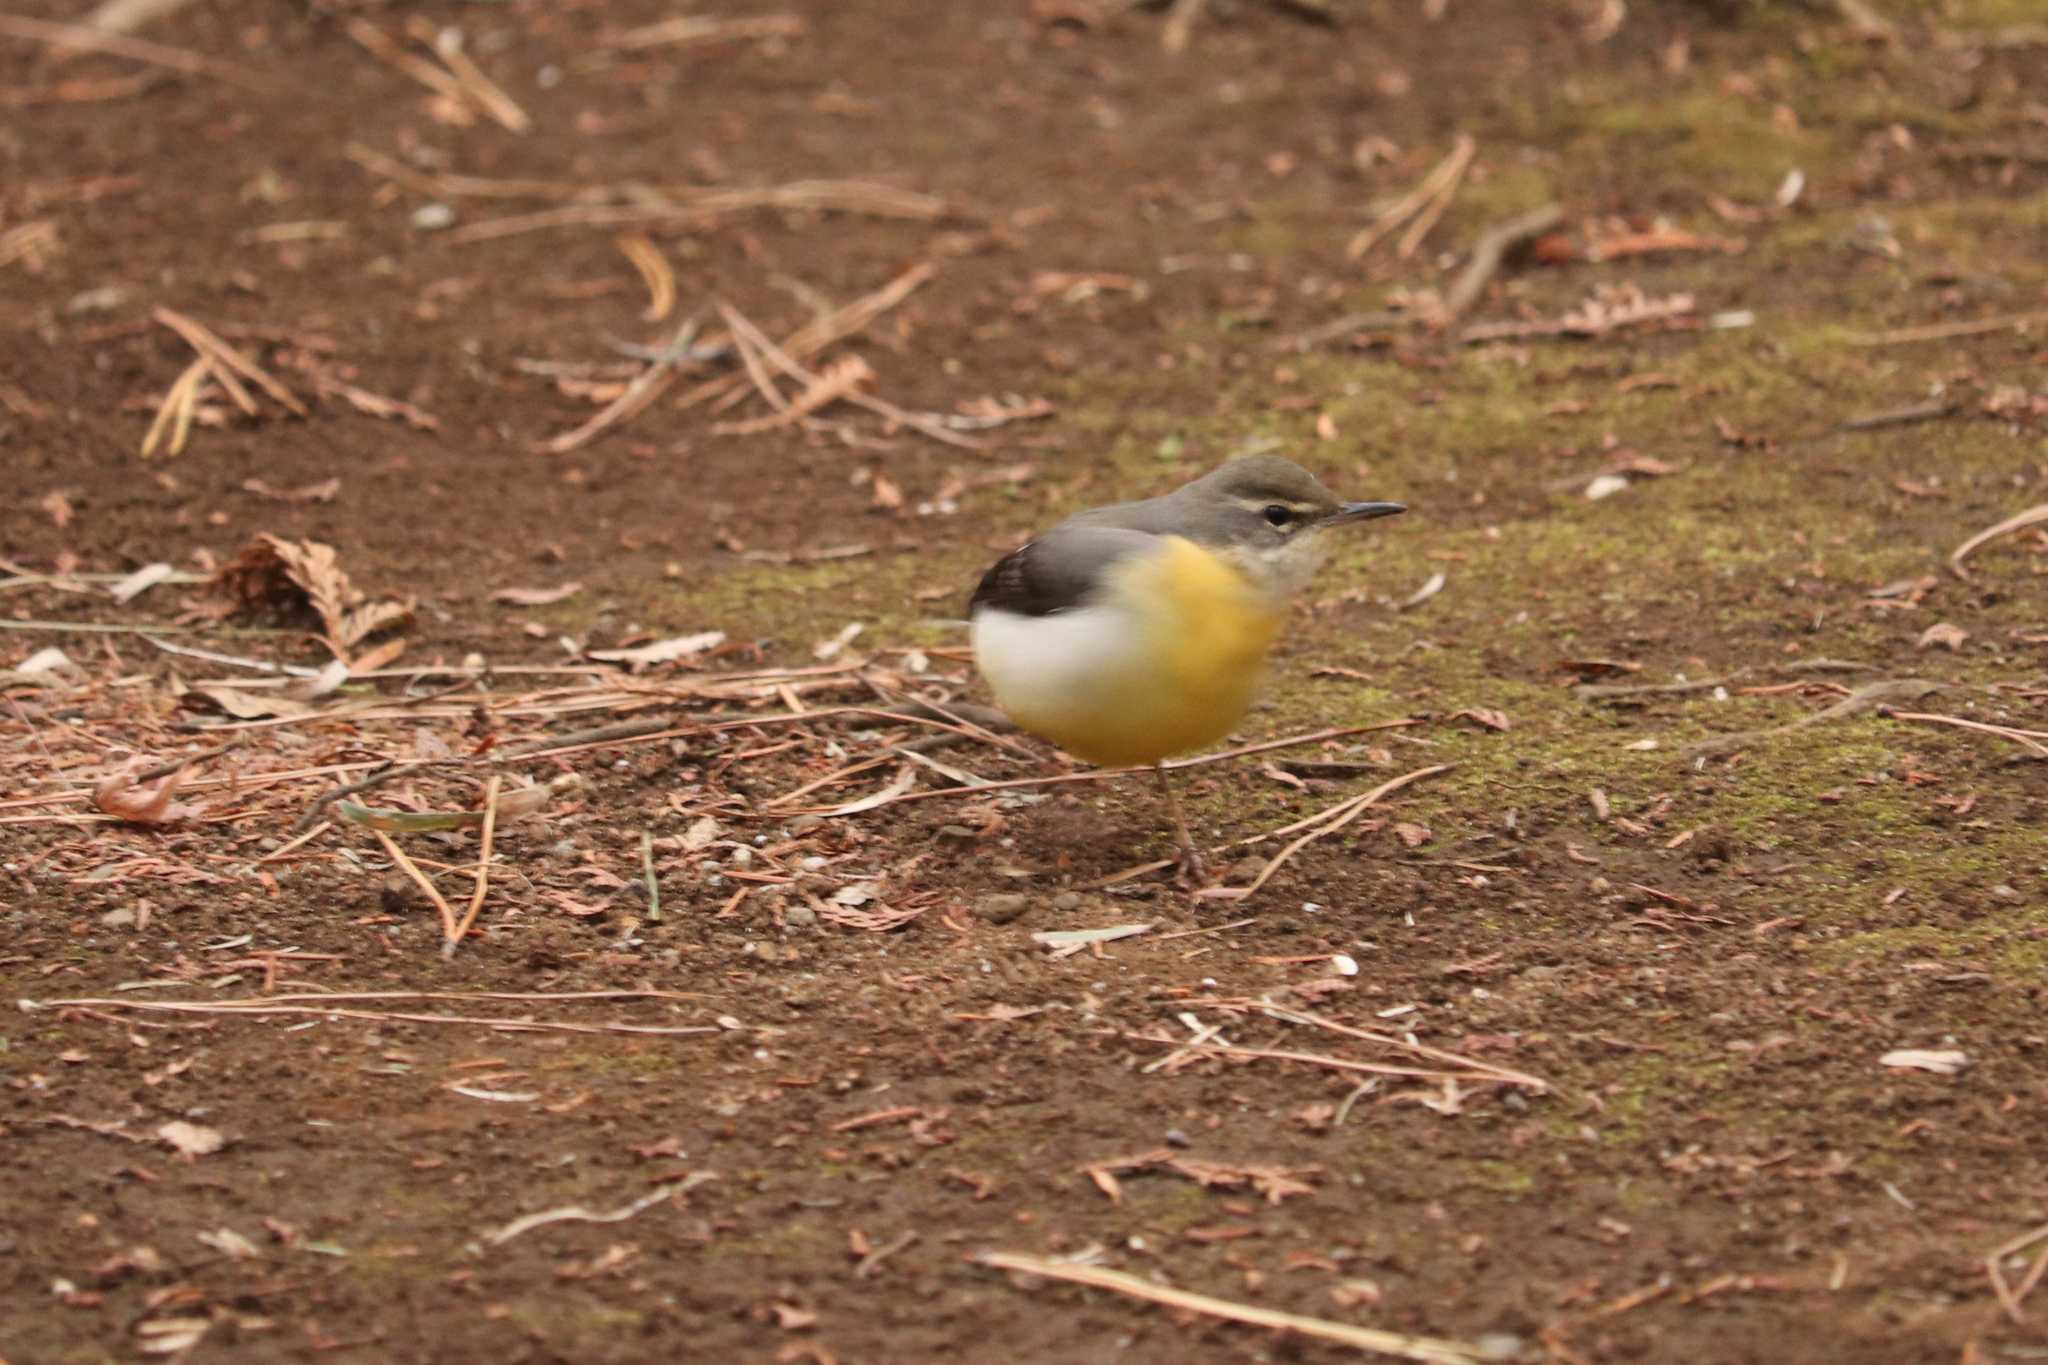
(1271, 515)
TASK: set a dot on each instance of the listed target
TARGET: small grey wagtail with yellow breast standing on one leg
(1134, 633)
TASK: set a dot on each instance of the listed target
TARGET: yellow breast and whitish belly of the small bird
(1193, 650)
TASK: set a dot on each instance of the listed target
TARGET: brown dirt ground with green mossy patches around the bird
(1705, 961)
